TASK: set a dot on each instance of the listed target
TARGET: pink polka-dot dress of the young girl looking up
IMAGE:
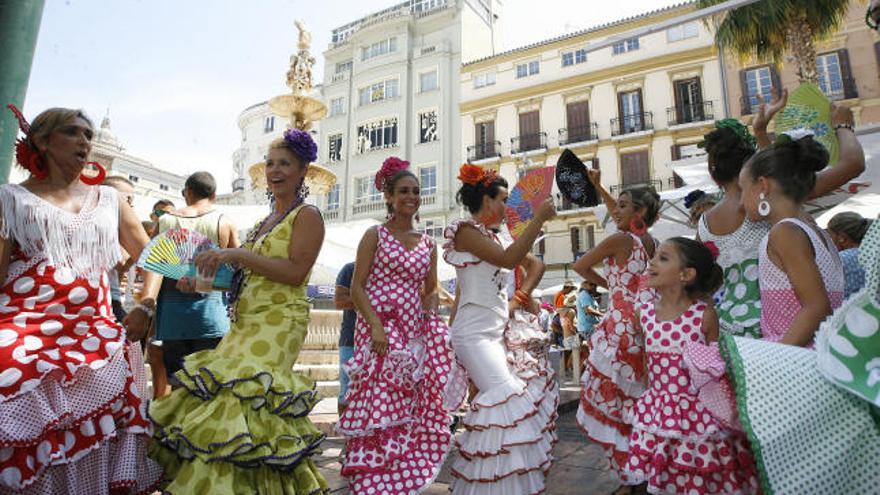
(675, 445)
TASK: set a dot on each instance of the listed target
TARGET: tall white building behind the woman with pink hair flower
(391, 83)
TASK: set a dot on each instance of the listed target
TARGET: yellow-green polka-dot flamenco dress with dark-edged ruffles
(239, 425)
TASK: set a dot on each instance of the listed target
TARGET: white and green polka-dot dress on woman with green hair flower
(739, 306)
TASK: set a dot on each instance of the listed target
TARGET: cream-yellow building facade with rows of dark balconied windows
(629, 110)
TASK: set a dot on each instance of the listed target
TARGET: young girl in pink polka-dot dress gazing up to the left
(676, 446)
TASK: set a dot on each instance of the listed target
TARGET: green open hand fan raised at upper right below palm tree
(808, 108)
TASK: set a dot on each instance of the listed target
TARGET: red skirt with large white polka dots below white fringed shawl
(71, 387)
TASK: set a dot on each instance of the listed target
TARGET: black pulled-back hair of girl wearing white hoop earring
(793, 164)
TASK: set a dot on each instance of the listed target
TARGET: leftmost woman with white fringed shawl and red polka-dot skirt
(72, 401)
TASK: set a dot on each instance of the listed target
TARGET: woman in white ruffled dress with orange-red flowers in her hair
(508, 438)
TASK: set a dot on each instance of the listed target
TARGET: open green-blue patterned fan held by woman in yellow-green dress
(171, 255)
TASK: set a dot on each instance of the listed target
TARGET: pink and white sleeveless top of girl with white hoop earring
(779, 302)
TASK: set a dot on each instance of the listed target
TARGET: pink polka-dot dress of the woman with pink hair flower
(396, 425)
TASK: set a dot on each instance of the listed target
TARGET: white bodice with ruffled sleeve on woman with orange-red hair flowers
(479, 282)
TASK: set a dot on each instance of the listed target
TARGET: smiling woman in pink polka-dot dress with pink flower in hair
(396, 427)
